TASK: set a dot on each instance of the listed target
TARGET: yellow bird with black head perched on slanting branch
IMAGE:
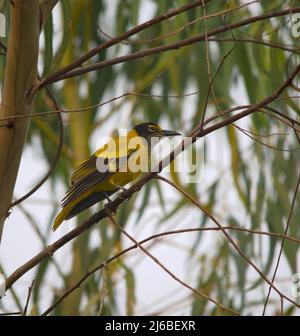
(109, 169)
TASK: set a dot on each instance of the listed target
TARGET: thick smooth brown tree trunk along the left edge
(20, 75)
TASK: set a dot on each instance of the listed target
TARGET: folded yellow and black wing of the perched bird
(87, 175)
